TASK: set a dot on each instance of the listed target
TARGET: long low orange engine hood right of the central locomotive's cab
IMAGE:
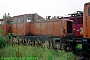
(52, 27)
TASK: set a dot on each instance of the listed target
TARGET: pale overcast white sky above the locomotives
(42, 7)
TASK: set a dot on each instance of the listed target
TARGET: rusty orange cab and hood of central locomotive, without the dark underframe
(28, 24)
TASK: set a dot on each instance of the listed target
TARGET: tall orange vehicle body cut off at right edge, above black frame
(86, 20)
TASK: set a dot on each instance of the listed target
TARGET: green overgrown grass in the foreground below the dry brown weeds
(40, 53)
